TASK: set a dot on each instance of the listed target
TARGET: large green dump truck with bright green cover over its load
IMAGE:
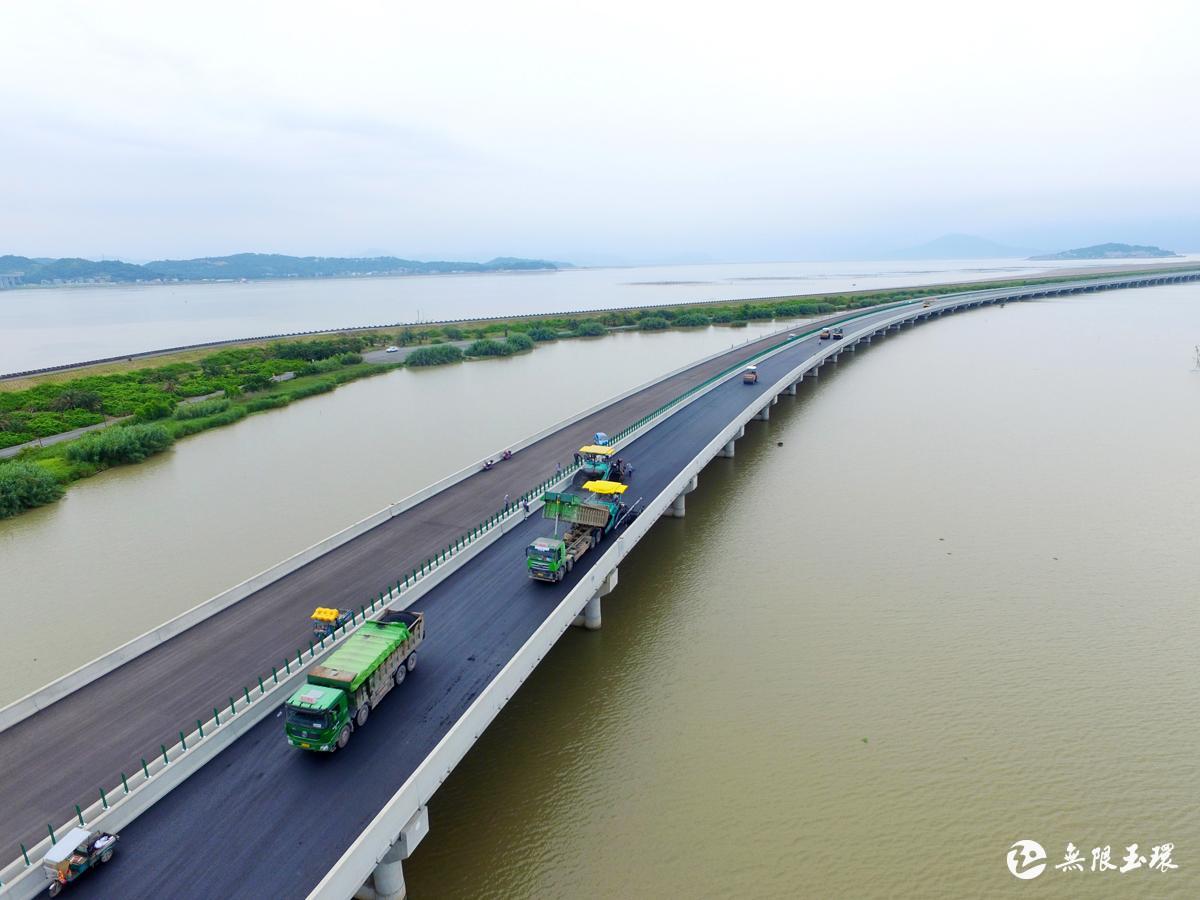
(341, 692)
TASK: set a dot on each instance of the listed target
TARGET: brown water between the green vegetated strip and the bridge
(136, 547)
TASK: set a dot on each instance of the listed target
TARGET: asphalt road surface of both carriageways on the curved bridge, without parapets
(267, 820)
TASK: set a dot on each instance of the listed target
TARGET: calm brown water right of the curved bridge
(956, 609)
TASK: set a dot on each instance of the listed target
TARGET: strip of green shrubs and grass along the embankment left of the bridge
(196, 391)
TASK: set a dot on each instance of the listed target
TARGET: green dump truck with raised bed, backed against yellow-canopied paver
(590, 519)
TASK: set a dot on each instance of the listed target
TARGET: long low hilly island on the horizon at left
(25, 272)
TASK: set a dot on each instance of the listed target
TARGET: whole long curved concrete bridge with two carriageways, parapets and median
(124, 742)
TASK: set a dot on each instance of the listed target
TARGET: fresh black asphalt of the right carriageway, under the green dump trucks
(267, 820)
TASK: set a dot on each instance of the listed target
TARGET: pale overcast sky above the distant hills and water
(595, 133)
